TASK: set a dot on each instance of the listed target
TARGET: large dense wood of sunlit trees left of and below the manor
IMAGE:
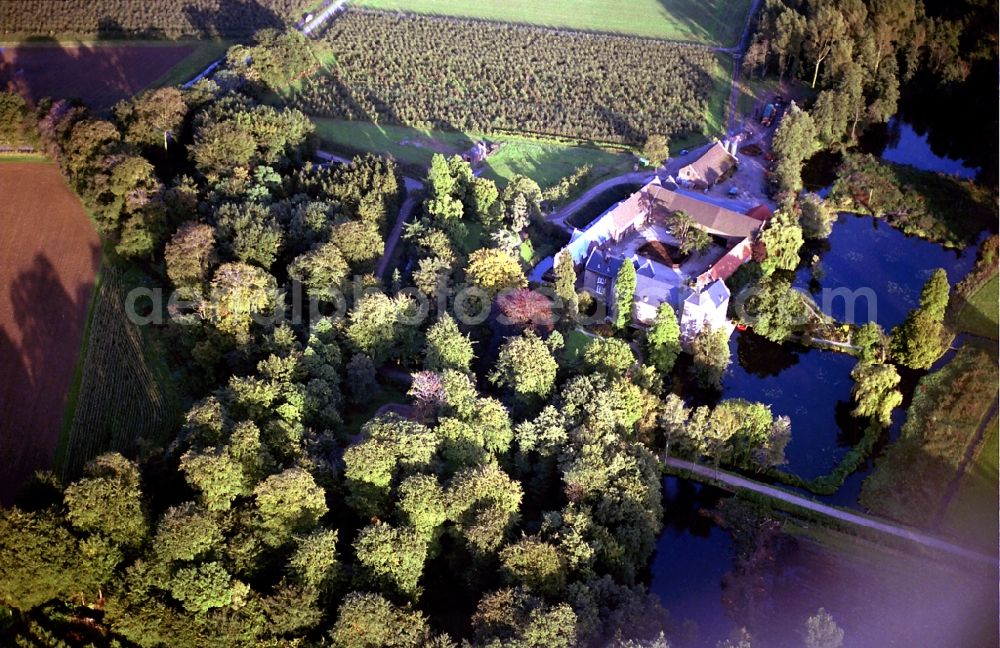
(513, 499)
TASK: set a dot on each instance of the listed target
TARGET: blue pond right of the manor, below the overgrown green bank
(880, 267)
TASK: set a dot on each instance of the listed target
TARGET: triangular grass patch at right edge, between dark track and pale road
(972, 513)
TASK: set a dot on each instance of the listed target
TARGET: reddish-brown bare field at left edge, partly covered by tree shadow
(49, 255)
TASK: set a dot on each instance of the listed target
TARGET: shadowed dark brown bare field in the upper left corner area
(100, 75)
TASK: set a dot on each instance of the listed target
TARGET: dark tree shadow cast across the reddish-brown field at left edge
(38, 353)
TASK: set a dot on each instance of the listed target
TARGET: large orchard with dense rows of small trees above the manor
(455, 75)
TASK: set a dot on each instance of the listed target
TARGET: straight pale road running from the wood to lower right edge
(741, 483)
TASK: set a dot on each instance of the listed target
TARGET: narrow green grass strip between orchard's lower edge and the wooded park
(544, 162)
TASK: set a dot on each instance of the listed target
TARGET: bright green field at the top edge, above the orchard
(716, 22)
